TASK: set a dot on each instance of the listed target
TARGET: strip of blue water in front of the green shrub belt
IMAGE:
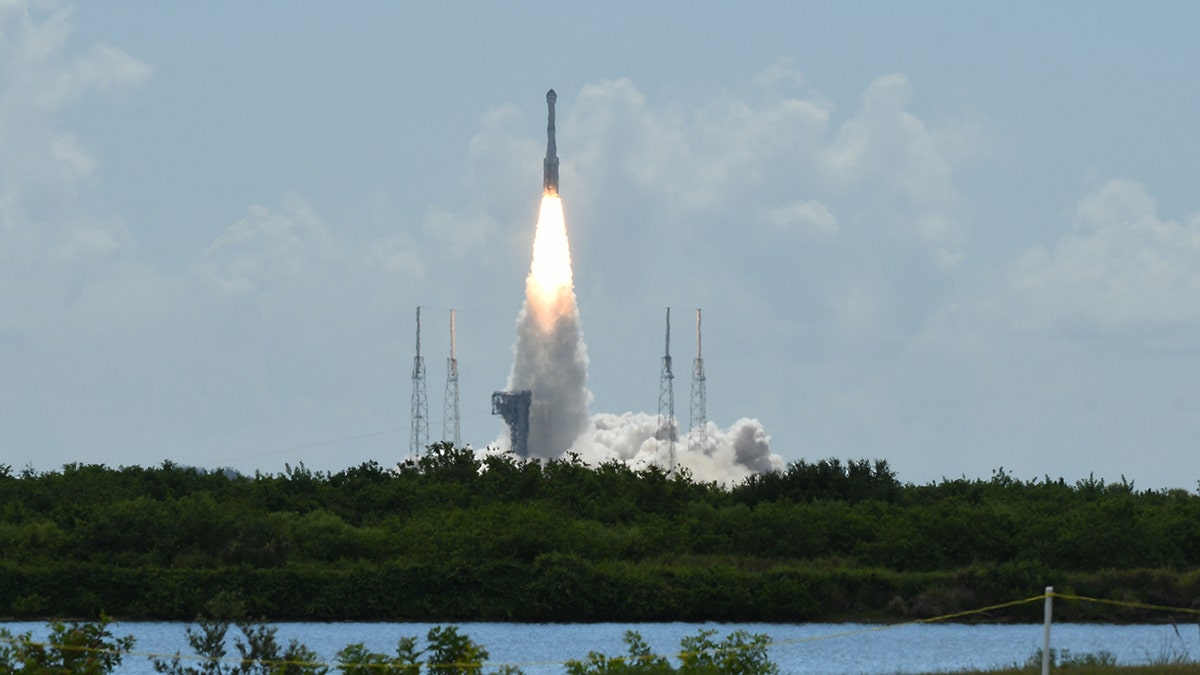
(818, 649)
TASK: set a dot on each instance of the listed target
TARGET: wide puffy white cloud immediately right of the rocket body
(884, 170)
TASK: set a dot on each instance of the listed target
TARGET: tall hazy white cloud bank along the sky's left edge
(63, 271)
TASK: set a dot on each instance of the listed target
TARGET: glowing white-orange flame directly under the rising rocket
(550, 288)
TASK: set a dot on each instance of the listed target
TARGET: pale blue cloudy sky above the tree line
(956, 236)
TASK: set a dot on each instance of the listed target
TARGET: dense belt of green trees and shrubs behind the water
(455, 539)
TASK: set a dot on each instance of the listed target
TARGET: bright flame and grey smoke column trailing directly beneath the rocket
(550, 357)
